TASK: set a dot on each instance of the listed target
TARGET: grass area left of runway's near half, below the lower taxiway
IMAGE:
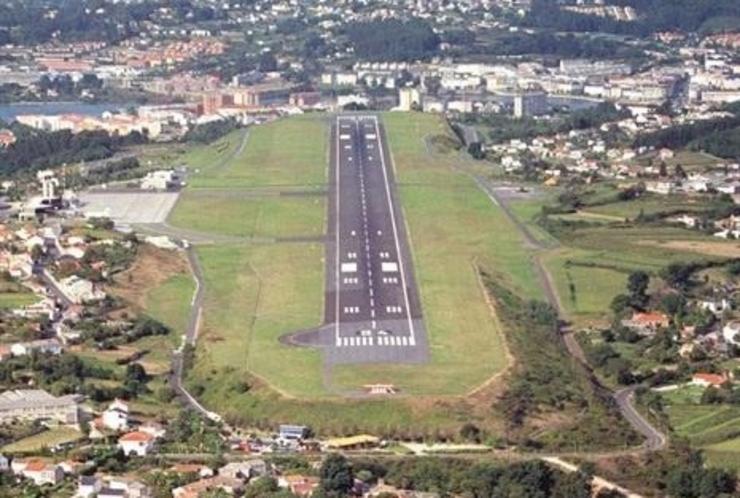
(255, 294)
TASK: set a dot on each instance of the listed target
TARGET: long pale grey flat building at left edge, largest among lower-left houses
(35, 404)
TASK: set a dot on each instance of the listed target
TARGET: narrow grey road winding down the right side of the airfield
(654, 439)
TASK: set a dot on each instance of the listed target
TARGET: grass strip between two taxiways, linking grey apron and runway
(250, 216)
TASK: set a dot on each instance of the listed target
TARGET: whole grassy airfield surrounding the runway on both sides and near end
(260, 289)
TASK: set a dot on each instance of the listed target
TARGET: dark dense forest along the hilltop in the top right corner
(654, 16)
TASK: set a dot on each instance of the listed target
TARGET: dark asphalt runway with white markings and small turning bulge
(372, 308)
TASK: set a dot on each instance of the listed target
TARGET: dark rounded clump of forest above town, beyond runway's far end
(391, 39)
